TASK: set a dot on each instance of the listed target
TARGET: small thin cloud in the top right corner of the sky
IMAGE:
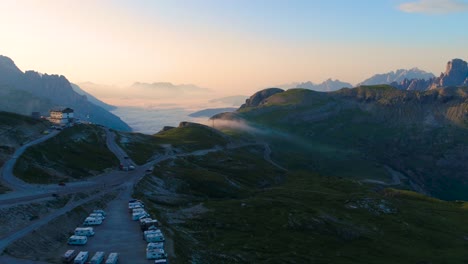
(435, 6)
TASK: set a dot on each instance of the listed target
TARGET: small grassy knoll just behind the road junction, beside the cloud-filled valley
(185, 138)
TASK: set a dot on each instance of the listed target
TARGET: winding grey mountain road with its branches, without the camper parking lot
(123, 181)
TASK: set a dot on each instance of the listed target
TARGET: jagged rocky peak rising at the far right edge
(456, 74)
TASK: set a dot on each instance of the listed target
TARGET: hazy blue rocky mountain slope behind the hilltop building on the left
(30, 91)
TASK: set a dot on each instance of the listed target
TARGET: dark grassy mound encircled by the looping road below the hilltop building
(75, 153)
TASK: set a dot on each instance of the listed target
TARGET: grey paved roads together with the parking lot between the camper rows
(119, 233)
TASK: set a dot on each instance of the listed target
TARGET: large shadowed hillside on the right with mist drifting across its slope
(360, 132)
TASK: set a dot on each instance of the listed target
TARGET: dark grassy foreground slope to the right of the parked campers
(235, 207)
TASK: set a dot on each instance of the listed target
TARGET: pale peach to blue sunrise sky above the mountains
(231, 46)
